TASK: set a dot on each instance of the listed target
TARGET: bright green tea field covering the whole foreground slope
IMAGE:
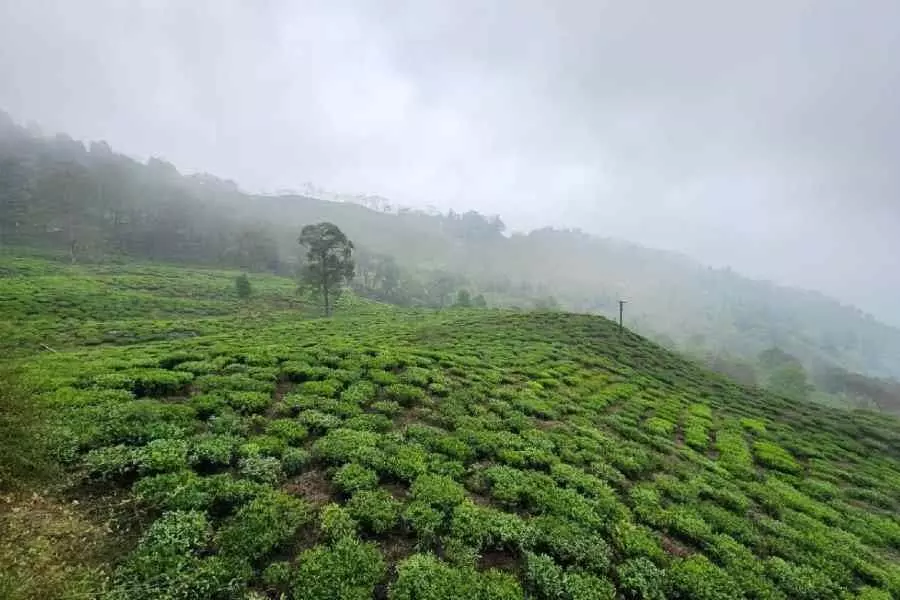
(247, 450)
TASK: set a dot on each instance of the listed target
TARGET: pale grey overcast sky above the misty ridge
(763, 135)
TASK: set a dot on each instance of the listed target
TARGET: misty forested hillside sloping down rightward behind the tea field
(93, 203)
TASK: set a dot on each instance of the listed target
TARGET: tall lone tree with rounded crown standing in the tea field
(329, 261)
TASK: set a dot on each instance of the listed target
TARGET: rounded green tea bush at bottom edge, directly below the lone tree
(346, 570)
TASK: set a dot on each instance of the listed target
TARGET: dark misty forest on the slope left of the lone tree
(55, 193)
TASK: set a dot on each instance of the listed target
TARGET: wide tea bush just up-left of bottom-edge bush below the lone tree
(266, 523)
